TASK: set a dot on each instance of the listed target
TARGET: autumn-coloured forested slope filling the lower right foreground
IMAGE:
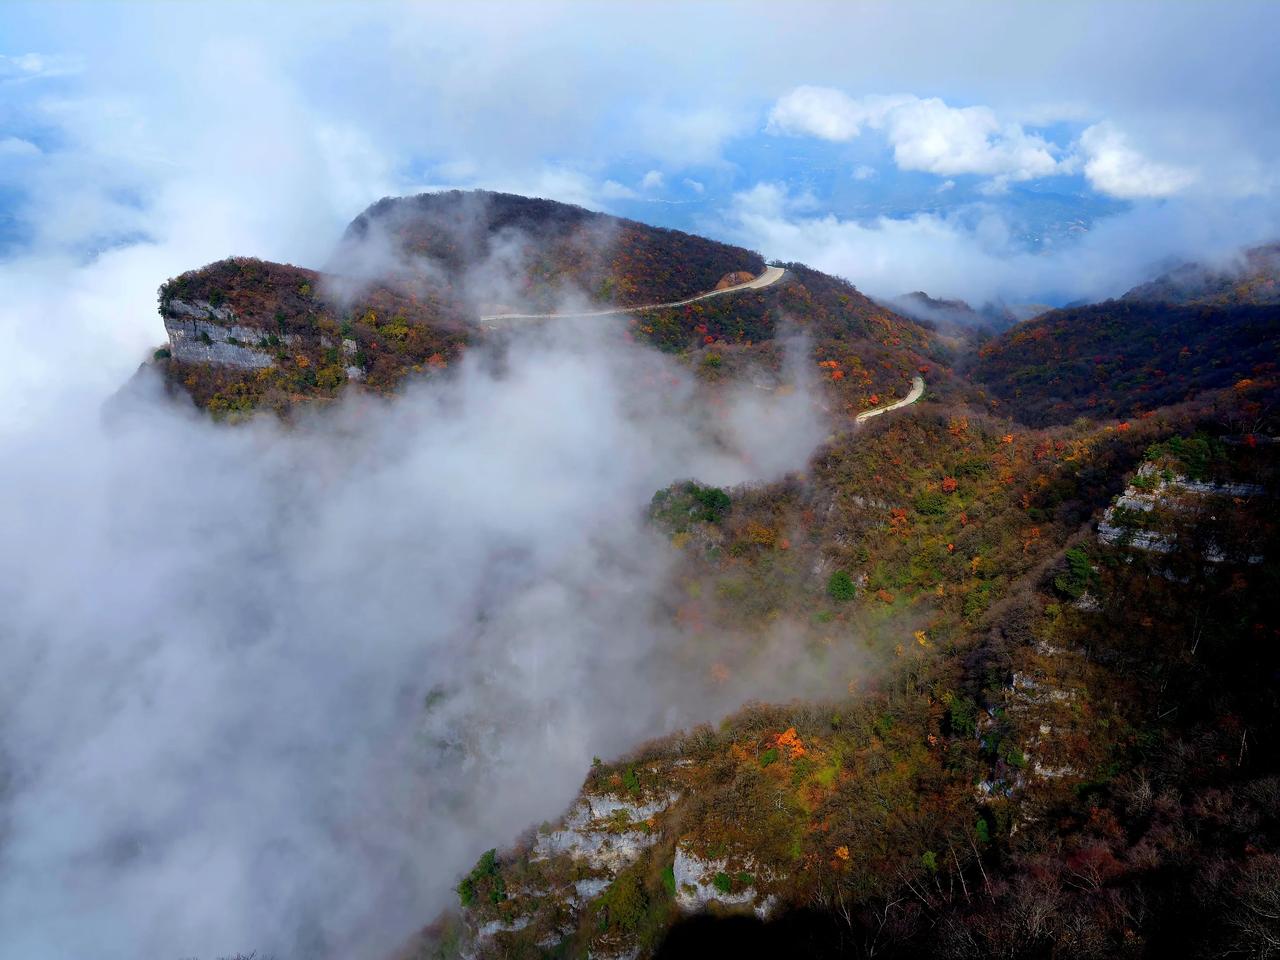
(1068, 753)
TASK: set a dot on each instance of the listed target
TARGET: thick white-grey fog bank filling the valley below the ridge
(273, 691)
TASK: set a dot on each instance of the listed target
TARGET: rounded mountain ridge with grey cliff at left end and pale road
(403, 296)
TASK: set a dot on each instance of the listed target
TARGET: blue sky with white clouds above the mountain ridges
(1026, 153)
